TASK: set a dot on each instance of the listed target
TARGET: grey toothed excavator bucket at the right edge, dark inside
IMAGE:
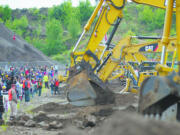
(157, 94)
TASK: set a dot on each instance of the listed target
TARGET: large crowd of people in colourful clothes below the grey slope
(23, 83)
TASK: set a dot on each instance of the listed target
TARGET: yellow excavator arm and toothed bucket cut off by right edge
(157, 94)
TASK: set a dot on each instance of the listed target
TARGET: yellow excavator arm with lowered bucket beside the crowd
(85, 88)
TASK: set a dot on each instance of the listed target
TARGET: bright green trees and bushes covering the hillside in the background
(62, 24)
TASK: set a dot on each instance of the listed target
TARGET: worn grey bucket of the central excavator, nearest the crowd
(84, 89)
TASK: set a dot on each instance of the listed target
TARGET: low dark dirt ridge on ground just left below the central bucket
(55, 108)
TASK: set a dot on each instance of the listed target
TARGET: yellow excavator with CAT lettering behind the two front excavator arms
(132, 57)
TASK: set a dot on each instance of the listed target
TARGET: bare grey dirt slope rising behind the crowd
(18, 49)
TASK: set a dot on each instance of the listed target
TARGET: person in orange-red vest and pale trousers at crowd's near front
(13, 101)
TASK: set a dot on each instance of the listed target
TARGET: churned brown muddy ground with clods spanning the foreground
(52, 115)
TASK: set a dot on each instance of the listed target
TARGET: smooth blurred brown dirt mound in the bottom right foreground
(124, 123)
